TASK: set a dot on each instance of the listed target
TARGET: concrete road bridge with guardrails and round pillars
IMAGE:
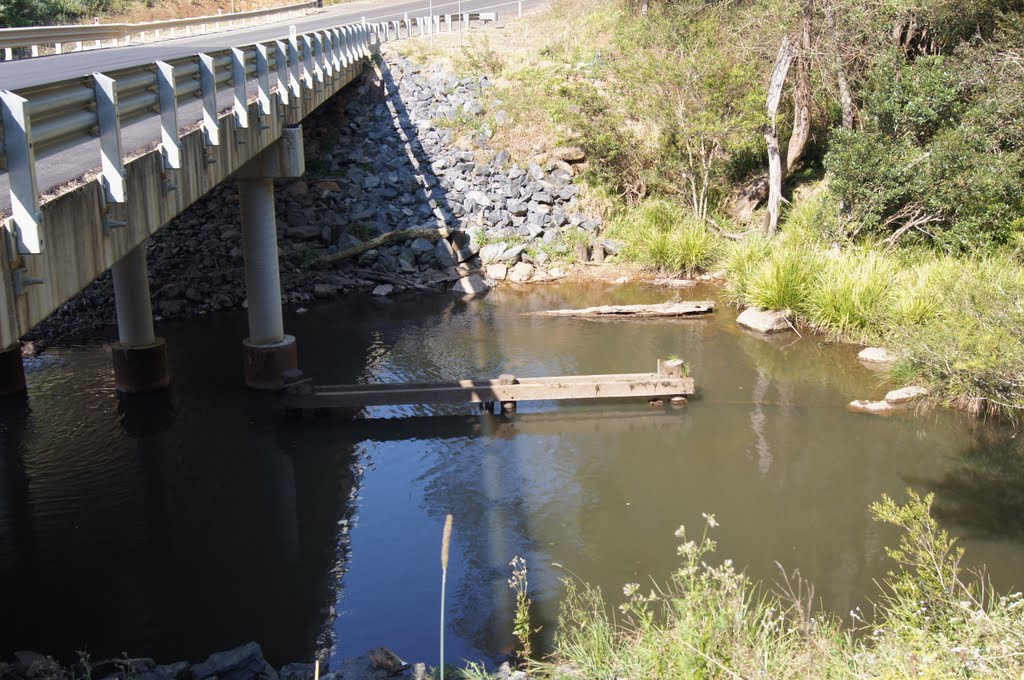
(137, 132)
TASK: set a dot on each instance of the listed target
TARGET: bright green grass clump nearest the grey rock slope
(662, 235)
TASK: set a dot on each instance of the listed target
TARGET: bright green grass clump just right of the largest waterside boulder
(852, 294)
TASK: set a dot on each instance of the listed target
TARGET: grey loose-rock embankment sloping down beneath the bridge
(382, 157)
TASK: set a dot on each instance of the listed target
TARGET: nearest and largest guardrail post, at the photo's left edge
(22, 173)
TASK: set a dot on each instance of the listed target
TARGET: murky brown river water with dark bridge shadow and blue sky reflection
(180, 525)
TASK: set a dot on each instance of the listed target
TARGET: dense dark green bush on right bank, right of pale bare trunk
(940, 160)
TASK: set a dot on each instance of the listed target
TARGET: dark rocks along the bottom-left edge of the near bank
(243, 663)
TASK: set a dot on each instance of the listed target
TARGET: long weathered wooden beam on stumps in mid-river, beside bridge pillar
(669, 381)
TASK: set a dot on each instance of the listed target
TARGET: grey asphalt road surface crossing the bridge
(68, 164)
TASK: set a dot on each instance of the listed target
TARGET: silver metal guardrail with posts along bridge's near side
(39, 120)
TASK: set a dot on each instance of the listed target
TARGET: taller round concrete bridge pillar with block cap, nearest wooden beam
(268, 351)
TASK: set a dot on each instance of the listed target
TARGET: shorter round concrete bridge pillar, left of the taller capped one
(140, 357)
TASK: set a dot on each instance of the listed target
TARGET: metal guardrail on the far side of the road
(82, 36)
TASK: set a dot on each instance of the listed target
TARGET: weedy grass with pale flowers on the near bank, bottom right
(709, 621)
